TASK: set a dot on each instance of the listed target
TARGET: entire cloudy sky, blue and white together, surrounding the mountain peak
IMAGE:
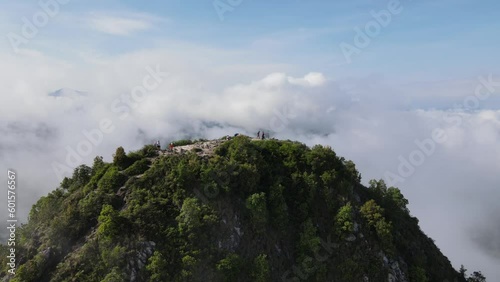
(263, 58)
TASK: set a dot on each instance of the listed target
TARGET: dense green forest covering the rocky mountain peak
(253, 210)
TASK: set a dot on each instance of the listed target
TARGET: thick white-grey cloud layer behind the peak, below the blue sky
(371, 120)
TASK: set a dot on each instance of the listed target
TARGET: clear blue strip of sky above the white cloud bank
(428, 39)
